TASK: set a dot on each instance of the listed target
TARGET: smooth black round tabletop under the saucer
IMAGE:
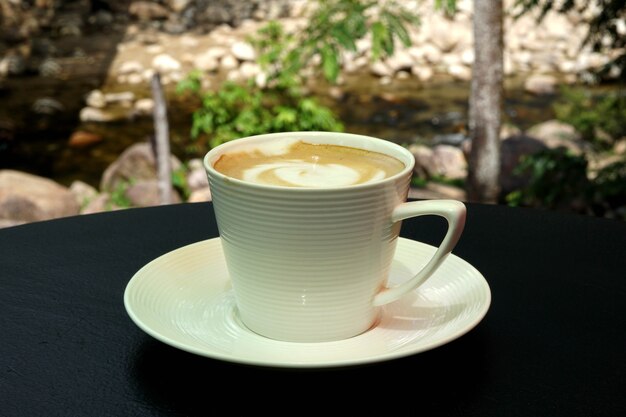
(552, 344)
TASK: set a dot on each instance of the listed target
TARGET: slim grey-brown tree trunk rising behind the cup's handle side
(486, 102)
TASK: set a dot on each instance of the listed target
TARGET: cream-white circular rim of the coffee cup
(402, 154)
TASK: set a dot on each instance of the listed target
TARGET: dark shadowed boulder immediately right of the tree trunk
(512, 150)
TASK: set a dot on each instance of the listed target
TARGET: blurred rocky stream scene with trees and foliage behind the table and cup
(77, 95)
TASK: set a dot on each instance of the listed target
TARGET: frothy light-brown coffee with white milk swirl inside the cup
(307, 165)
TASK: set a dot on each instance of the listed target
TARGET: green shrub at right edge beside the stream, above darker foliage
(590, 115)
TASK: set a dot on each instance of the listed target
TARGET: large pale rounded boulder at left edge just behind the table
(26, 197)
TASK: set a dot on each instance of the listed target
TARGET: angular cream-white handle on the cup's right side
(454, 212)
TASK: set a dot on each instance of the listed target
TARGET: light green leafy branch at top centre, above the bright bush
(334, 26)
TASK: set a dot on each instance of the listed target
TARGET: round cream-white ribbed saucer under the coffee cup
(184, 299)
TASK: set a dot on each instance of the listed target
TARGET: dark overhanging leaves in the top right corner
(604, 27)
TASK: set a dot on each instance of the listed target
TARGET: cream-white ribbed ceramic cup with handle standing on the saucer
(311, 264)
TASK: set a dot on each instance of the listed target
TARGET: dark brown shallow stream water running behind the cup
(403, 111)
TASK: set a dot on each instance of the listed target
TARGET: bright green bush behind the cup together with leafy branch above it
(279, 103)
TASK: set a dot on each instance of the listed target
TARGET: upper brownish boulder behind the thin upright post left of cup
(134, 164)
